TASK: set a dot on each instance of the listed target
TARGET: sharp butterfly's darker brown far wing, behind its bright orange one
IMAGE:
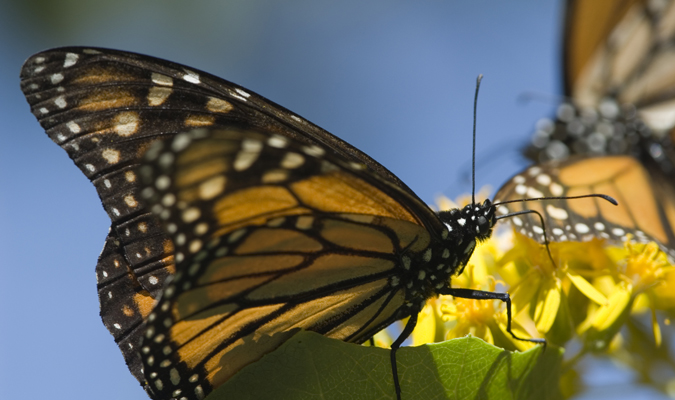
(106, 108)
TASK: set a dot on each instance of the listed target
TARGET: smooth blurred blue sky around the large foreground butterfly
(394, 78)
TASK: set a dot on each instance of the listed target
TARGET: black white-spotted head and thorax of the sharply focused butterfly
(429, 271)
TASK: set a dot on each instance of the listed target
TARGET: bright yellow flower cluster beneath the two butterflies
(587, 292)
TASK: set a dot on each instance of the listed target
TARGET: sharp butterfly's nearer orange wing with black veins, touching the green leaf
(271, 236)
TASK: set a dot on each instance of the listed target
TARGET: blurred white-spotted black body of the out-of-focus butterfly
(609, 129)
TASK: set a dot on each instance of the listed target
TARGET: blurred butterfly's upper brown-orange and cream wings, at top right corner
(621, 48)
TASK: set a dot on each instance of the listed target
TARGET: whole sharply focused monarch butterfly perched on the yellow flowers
(267, 222)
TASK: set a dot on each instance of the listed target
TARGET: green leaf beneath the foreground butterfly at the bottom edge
(311, 366)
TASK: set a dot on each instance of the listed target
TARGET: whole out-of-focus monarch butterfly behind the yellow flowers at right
(619, 85)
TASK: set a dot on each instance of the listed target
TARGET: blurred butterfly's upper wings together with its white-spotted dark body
(619, 85)
